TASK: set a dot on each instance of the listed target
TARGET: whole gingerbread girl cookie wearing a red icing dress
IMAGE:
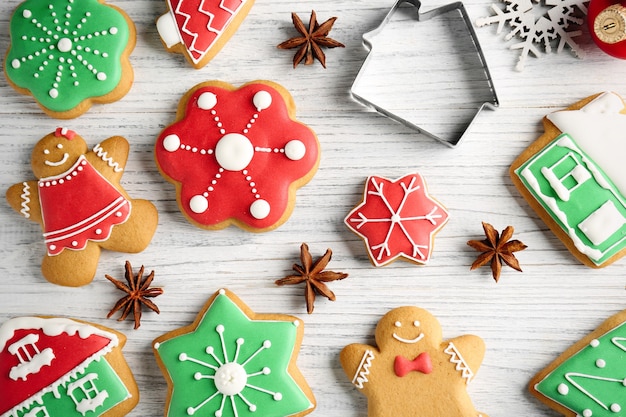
(81, 206)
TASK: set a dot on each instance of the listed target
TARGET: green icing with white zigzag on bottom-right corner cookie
(591, 382)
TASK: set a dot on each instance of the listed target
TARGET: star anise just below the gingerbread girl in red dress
(138, 291)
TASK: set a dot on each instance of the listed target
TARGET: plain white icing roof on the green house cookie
(600, 130)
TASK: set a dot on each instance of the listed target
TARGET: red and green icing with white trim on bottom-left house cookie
(57, 367)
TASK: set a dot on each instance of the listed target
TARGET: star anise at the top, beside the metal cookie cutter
(311, 41)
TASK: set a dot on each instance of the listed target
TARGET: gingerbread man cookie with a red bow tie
(412, 369)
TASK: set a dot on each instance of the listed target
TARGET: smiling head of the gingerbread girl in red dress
(56, 153)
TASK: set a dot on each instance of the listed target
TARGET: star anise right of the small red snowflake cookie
(497, 249)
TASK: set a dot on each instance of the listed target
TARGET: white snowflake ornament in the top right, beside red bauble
(534, 28)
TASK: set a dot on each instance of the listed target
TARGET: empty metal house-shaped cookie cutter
(426, 71)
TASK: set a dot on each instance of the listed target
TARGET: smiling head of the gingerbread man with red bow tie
(409, 329)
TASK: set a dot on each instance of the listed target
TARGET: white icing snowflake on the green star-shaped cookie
(230, 376)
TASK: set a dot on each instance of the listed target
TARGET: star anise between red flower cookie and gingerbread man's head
(313, 275)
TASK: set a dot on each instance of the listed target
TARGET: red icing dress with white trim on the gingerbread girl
(78, 206)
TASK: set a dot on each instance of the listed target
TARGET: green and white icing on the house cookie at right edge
(578, 177)
